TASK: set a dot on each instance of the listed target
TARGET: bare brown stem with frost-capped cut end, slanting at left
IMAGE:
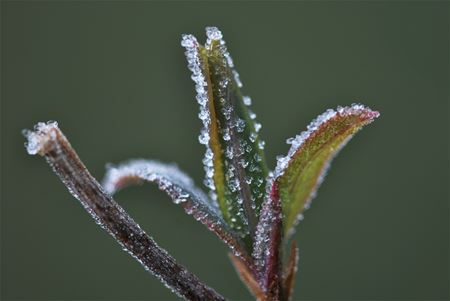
(48, 141)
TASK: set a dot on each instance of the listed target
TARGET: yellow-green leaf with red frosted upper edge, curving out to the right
(299, 174)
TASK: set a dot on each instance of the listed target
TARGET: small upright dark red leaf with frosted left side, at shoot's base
(267, 243)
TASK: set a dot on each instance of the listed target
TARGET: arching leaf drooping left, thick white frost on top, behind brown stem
(182, 191)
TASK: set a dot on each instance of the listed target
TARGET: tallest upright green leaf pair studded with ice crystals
(234, 160)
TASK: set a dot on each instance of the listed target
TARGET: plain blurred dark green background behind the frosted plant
(114, 75)
